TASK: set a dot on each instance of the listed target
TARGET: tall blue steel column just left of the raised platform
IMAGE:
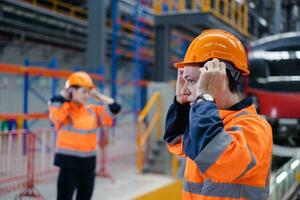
(137, 105)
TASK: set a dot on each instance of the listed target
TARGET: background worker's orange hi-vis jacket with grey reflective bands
(77, 128)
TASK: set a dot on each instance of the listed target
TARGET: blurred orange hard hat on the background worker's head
(81, 79)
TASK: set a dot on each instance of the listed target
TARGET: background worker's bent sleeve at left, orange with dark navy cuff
(58, 110)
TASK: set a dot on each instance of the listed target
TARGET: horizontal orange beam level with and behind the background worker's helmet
(39, 71)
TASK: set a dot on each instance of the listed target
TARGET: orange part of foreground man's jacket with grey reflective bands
(235, 164)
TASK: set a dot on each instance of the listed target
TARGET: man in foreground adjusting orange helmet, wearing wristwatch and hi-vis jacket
(228, 146)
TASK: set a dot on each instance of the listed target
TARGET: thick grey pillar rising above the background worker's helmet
(96, 35)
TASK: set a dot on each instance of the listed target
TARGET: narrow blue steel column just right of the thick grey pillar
(114, 59)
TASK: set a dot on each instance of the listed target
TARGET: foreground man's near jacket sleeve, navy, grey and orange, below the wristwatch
(219, 153)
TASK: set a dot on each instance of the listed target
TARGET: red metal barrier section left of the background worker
(25, 160)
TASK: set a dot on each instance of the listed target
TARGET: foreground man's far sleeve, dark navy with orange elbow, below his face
(176, 124)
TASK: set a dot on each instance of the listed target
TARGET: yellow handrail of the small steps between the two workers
(143, 136)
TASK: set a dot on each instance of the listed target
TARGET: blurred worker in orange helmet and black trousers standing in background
(76, 124)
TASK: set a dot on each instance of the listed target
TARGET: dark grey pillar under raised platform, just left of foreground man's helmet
(163, 69)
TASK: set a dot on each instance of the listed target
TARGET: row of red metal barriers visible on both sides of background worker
(26, 158)
